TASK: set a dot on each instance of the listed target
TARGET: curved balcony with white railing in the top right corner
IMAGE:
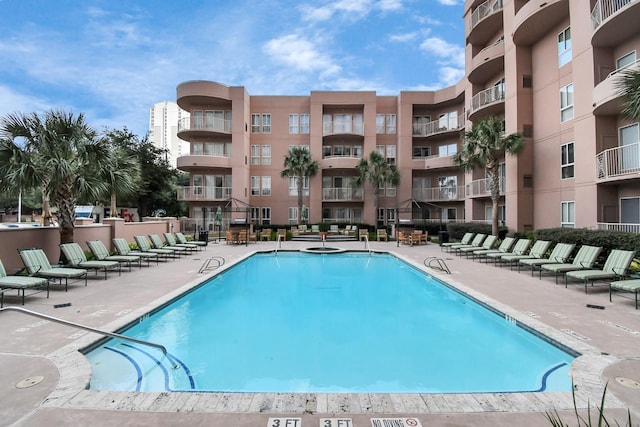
(614, 21)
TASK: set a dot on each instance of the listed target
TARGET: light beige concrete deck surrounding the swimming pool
(43, 377)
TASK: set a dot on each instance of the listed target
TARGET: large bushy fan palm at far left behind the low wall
(58, 152)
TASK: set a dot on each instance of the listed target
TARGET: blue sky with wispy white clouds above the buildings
(113, 59)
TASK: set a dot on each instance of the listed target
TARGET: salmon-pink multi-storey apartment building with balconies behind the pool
(547, 67)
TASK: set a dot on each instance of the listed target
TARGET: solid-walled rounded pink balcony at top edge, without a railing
(537, 18)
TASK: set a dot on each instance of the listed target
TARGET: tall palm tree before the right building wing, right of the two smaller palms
(482, 147)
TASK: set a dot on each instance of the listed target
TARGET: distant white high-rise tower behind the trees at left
(163, 129)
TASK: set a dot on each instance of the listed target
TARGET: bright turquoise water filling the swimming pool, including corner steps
(300, 322)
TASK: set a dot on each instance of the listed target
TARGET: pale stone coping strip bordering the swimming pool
(586, 370)
